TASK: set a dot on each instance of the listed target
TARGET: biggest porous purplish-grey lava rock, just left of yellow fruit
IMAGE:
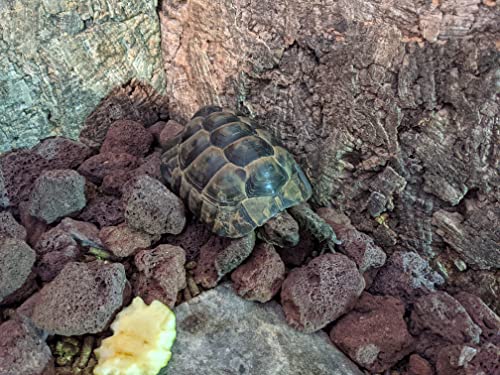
(81, 299)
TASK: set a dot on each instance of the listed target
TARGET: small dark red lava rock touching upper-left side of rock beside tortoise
(104, 210)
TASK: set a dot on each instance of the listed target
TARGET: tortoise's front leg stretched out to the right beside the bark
(309, 220)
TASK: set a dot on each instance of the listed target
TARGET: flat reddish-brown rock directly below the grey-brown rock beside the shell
(124, 241)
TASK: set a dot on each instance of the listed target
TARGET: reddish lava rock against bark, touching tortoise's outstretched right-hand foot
(360, 248)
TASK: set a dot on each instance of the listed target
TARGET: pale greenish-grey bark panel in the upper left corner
(62, 58)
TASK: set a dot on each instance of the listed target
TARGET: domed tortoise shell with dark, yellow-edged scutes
(231, 174)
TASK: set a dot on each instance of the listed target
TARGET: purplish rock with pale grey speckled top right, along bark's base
(407, 276)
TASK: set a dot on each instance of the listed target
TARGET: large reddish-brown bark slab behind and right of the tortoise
(391, 107)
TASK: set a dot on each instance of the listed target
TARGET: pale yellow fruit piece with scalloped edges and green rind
(141, 341)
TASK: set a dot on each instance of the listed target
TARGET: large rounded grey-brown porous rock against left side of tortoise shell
(152, 208)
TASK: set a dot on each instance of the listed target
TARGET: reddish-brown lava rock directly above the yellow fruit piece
(161, 274)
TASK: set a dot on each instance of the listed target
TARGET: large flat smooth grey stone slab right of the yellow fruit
(262, 341)
